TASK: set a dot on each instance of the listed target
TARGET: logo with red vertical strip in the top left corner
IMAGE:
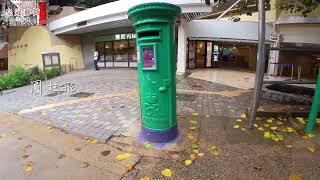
(24, 12)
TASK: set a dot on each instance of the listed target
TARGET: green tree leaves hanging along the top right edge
(305, 7)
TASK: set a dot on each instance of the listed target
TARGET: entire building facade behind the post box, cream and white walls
(203, 41)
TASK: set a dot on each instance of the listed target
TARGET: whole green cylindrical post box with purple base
(156, 54)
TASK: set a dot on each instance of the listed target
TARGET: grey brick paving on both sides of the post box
(101, 117)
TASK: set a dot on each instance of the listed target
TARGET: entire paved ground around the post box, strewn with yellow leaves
(239, 153)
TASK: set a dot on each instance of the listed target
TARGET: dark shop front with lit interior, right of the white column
(210, 54)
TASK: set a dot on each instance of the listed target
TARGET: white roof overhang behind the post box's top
(113, 15)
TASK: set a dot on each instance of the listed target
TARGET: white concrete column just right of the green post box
(182, 49)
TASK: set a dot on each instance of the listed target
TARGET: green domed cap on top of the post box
(152, 10)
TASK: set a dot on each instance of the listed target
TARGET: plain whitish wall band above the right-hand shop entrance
(225, 29)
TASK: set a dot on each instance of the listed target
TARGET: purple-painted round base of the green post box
(159, 136)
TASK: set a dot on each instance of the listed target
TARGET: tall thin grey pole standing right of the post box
(260, 64)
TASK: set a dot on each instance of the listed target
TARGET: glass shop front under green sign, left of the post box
(117, 50)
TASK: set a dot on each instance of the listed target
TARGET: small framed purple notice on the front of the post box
(148, 57)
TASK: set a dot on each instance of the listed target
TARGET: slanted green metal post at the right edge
(315, 107)
